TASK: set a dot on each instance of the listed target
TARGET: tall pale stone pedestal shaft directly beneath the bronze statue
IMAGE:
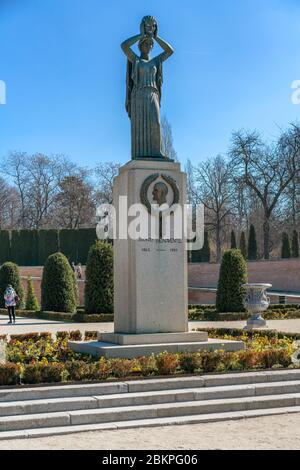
(150, 276)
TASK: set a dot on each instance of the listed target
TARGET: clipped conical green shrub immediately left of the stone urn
(233, 273)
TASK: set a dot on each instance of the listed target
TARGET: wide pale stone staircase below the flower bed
(55, 410)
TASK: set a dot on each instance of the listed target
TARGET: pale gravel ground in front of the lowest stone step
(274, 432)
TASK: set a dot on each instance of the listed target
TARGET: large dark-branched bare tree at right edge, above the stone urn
(267, 169)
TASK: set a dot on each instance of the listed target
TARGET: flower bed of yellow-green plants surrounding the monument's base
(38, 358)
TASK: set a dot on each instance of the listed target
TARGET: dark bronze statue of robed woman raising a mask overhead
(144, 83)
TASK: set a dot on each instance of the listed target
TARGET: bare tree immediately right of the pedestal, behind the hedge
(212, 187)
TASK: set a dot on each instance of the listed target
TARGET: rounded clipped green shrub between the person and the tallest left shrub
(58, 290)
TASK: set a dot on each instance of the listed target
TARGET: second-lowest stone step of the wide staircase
(141, 412)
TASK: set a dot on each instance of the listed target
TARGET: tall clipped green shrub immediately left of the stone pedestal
(99, 289)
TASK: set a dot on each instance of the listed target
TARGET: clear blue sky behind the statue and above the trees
(61, 60)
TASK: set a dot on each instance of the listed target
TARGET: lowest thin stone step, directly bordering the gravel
(179, 420)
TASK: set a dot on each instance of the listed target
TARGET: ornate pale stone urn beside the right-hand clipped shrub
(256, 302)
